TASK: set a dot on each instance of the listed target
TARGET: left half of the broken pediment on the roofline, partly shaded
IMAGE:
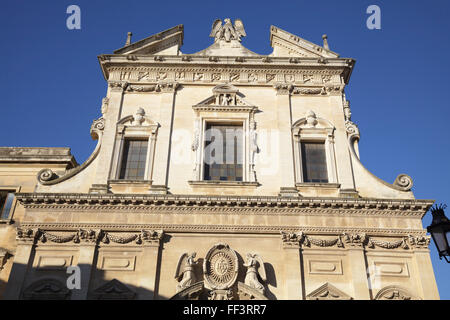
(167, 42)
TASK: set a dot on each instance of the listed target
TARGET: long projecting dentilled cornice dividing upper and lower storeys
(233, 204)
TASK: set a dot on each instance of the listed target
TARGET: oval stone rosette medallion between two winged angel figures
(220, 267)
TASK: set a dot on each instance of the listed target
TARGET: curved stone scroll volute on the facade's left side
(47, 177)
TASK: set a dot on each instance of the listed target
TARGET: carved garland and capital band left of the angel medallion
(89, 236)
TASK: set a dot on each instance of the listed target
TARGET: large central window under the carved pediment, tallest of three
(223, 152)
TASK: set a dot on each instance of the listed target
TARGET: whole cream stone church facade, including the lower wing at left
(223, 174)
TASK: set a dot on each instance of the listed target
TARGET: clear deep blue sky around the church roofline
(51, 85)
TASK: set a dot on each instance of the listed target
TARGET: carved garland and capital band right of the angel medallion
(355, 240)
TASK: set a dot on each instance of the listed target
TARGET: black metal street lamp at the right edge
(440, 231)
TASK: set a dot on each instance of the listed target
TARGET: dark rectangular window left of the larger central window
(134, 158)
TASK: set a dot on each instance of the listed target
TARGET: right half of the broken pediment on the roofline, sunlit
(286, 44)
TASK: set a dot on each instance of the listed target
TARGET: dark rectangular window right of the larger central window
(314, 162)
